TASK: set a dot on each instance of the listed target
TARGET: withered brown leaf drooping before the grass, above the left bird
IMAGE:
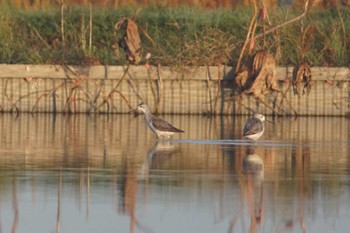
(130, 41)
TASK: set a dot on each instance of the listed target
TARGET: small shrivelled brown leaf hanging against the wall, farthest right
(302, 79)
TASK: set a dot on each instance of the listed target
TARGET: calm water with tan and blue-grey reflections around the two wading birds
(107, 174)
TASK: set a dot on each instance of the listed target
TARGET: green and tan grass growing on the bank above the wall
(181, 36)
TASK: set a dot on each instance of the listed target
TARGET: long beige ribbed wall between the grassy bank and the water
(112, 89)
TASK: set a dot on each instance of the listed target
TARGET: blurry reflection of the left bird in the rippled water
(160, 152)
